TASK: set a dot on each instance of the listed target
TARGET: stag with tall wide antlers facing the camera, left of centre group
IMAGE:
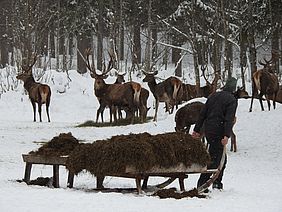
(122, 95)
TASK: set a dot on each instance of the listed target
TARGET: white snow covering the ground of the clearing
(252, 180)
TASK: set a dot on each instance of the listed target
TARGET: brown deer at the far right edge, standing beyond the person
(265, 82)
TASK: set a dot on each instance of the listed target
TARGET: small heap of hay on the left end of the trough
(60, 145)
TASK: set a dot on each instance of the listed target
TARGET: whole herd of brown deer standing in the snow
(132, 98)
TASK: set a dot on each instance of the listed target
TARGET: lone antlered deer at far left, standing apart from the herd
(37, 92)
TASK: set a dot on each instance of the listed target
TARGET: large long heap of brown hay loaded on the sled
(142, 151)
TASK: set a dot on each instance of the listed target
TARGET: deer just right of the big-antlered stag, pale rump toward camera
(166, 91)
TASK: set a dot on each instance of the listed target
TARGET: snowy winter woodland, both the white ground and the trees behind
(174, 37)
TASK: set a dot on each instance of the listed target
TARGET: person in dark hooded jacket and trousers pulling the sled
(217, 117)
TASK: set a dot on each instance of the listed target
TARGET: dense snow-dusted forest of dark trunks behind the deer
(143, 34)
